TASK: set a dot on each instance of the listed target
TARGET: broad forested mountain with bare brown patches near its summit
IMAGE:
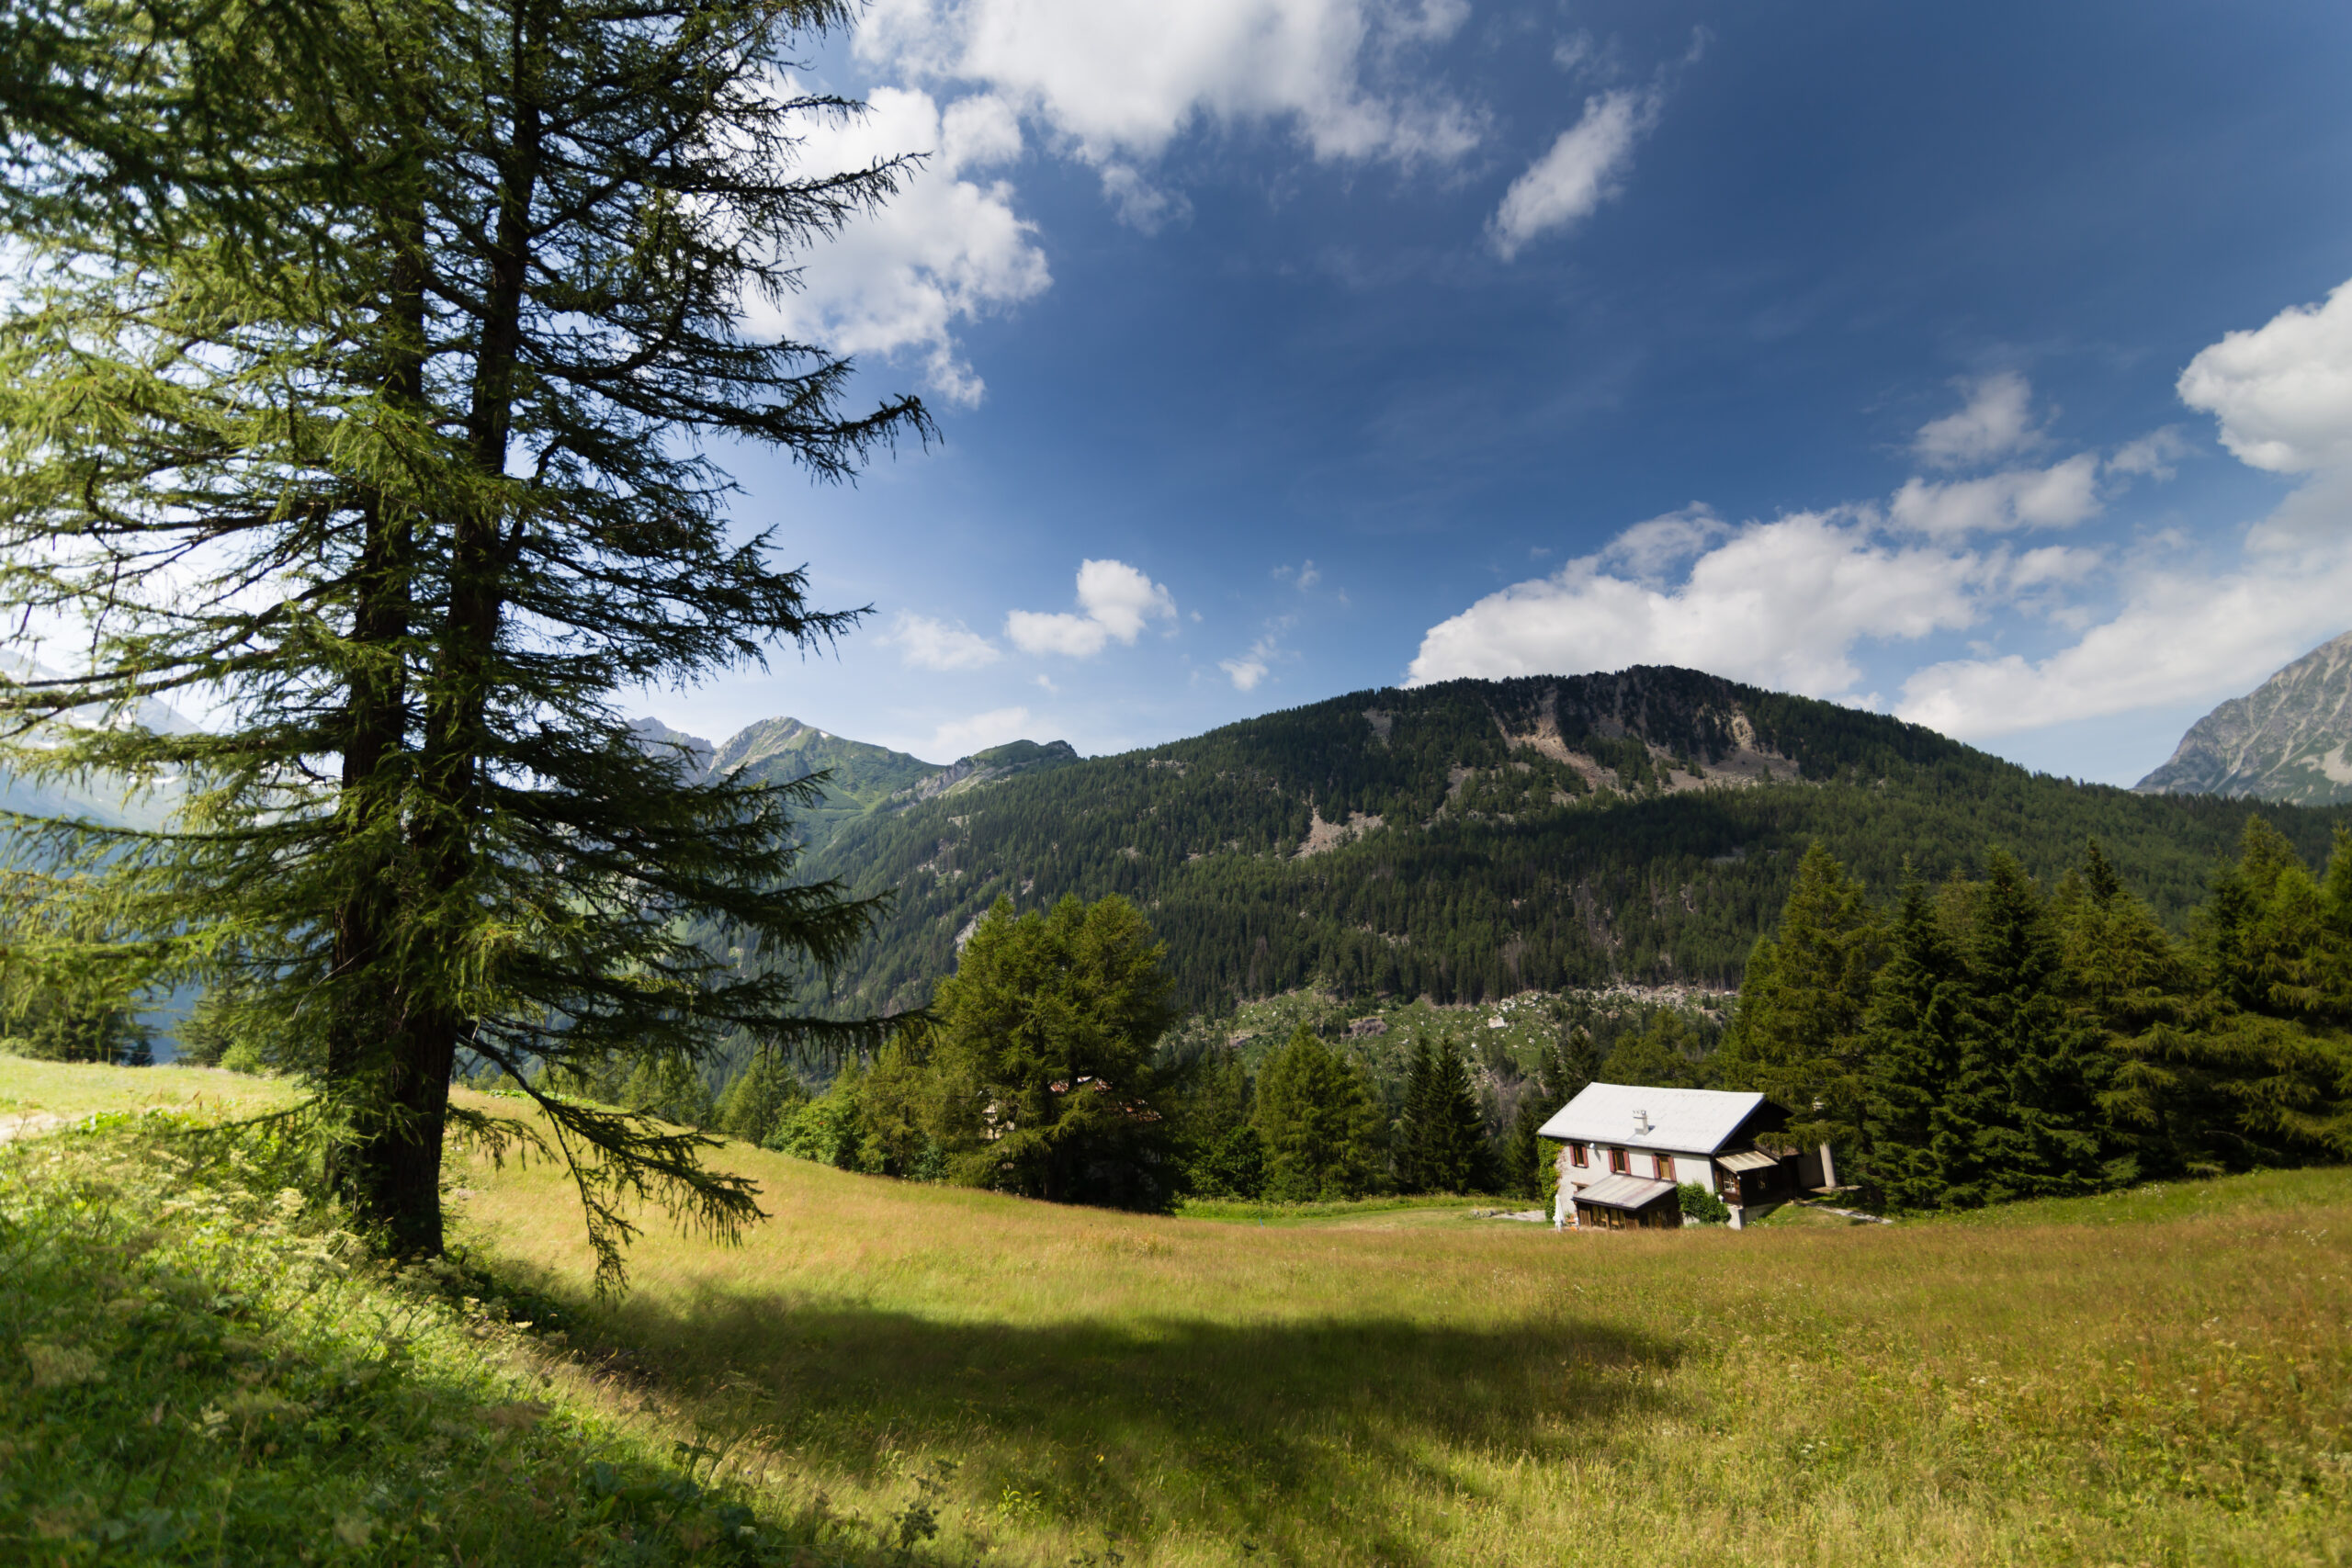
(1483, 838)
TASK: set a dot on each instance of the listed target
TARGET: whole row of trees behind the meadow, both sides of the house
(1977, 1040)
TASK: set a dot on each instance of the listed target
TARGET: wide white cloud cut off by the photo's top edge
(1123, 79)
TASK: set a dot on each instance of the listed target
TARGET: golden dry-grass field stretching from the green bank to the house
(2151, 1379)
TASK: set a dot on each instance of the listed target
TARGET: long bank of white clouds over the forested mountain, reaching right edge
(1791, 603)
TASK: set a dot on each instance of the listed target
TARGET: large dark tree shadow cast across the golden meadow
(1269, 1435)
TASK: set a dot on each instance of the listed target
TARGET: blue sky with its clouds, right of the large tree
(1967, 363)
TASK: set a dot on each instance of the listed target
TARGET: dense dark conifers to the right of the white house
(1993, 1038)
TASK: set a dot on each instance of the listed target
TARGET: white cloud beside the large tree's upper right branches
(947, 250)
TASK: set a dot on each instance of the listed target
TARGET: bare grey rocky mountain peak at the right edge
(2290, 739)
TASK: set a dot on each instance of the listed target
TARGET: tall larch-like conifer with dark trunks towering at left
(359, 387)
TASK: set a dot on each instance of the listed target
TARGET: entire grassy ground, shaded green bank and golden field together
(900, 1374)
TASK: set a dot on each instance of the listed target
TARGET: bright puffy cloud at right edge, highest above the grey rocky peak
(2283, 391)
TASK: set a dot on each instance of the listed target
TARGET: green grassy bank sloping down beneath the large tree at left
(199, 1369)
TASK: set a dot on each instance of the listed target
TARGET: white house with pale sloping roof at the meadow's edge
(1629, 1146)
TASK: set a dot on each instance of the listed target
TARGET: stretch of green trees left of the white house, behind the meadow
(1048, 1066)
